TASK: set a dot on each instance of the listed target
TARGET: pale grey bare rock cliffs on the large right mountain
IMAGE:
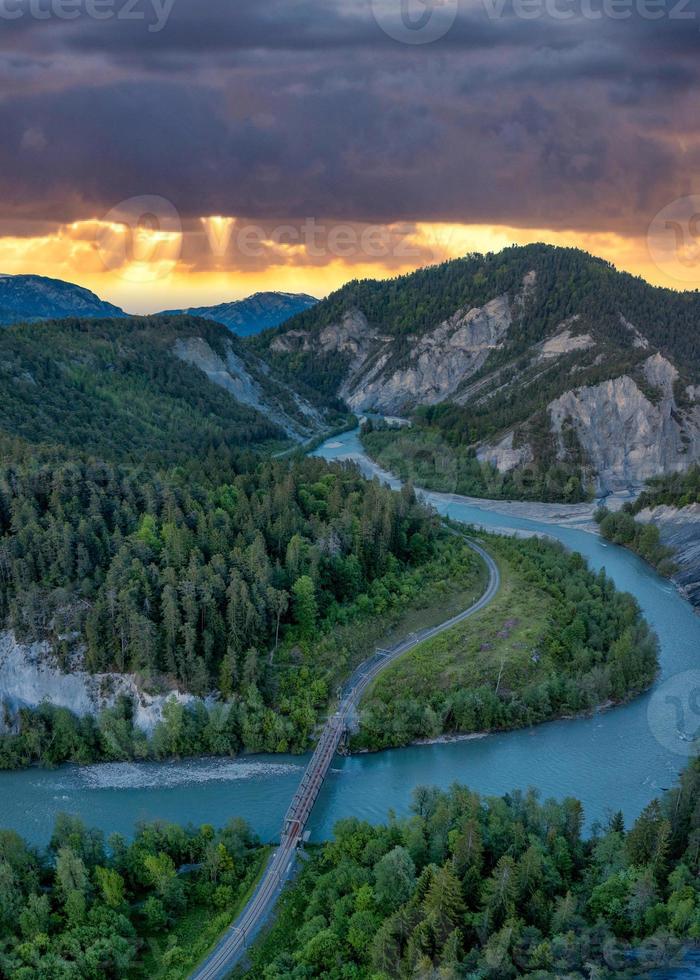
(629, 427)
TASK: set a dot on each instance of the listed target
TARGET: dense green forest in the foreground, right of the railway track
(493, 889)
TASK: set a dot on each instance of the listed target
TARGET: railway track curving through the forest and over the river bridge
(237, 937)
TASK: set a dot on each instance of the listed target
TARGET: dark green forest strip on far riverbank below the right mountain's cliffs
(423, 455)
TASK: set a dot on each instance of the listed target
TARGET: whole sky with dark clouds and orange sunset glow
(170, 153)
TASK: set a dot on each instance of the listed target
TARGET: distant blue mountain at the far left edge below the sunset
(29, 298)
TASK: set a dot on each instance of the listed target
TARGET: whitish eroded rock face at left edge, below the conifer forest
(30, 675)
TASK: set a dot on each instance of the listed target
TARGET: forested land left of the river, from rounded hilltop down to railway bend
(147, 535)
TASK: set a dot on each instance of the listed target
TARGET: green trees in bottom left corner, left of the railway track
(138, 909)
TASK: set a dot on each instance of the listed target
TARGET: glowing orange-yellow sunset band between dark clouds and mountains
(145, 270)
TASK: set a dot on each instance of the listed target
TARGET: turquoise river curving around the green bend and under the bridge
(615, 760)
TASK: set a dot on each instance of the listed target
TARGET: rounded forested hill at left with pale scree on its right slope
(145, 390)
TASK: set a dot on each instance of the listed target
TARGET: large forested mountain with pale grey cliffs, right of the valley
(554, 374)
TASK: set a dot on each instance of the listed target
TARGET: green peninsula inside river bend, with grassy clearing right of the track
(557, 640)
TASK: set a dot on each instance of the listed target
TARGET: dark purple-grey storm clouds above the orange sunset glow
(285, 109)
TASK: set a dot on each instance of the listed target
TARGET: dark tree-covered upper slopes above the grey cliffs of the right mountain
(568, 282)
